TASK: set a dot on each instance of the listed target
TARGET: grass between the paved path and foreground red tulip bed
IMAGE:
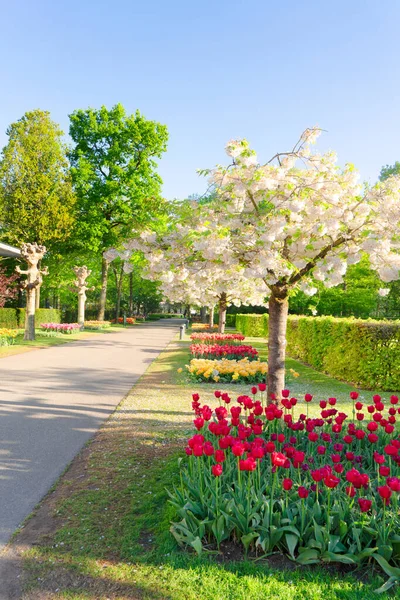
(110, 526)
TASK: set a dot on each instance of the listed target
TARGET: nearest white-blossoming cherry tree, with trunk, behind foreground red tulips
(294, 219)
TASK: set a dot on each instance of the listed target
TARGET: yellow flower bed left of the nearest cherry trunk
(228, 370)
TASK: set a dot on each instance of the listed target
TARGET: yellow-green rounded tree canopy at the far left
(36, 197)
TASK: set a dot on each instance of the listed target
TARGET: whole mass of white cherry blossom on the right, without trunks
(295, 220)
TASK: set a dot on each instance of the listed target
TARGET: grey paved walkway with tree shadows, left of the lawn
(53, 400)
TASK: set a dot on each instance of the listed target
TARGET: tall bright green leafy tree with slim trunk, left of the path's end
(115, 177)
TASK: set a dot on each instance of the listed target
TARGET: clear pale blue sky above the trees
(213, 70)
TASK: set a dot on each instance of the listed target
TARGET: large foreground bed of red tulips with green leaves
(319, 489)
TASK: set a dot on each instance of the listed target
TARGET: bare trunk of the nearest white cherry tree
(277, 323)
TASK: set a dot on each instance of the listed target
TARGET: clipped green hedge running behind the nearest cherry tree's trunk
(363, 352)
